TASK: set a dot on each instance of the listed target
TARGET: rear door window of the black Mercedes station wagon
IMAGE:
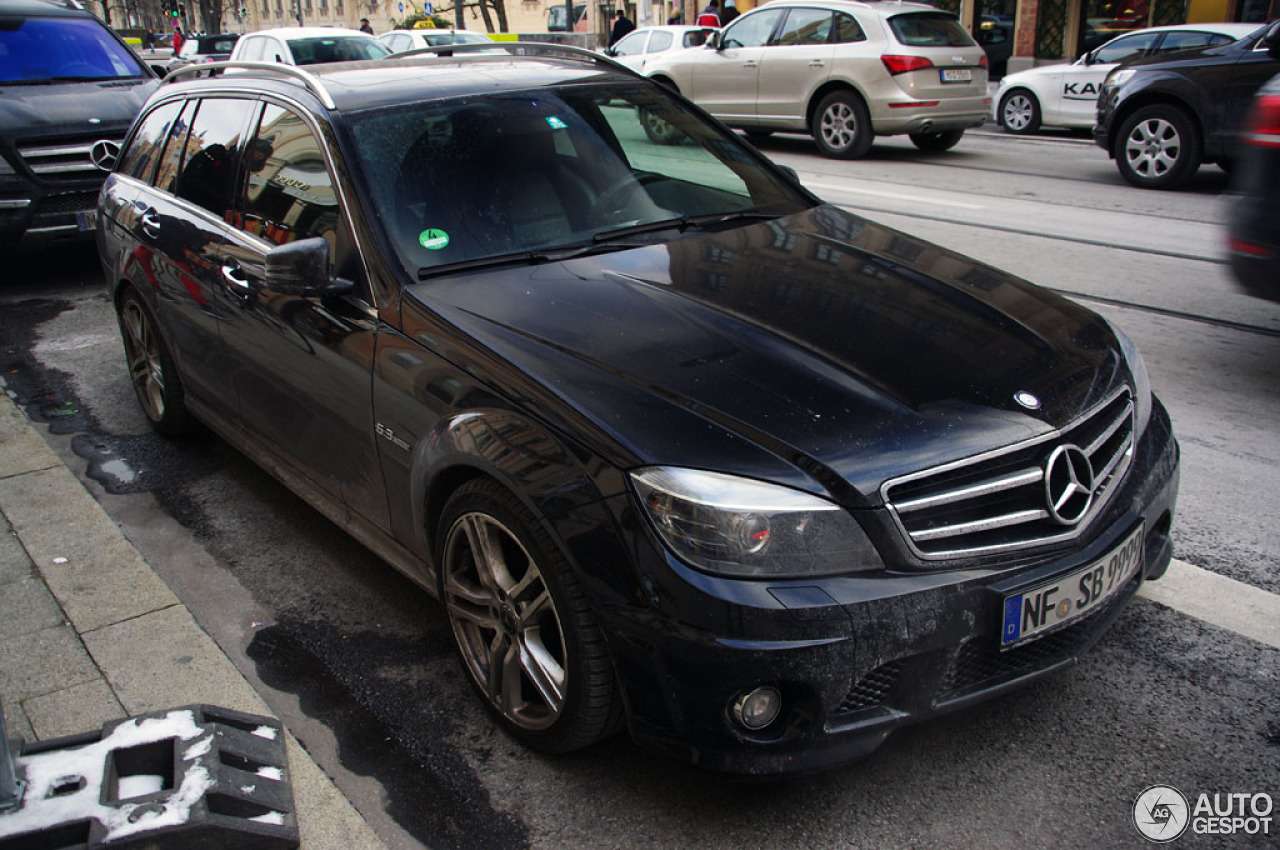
(213, 154)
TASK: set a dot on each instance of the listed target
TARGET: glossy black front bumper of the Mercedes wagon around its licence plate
(856, 659)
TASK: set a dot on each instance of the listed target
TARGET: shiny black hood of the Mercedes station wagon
(820, 349)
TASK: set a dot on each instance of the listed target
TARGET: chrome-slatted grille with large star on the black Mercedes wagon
(1035, 493)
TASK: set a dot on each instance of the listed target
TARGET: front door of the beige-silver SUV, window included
(725, 80)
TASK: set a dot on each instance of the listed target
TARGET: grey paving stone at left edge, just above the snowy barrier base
(43, 662)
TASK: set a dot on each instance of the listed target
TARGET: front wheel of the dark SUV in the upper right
(1158, 148)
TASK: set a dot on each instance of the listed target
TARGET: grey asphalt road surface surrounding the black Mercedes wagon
(359, 664)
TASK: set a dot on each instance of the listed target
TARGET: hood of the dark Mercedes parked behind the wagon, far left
(52, 109)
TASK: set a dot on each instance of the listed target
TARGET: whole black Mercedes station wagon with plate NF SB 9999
(679, 446)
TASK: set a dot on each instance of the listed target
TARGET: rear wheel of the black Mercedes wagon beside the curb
(152, 372)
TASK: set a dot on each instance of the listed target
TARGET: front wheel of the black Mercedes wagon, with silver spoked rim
(523, 627)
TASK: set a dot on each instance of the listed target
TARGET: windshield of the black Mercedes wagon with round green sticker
(464, 180)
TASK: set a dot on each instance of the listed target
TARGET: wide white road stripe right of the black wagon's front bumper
(1218, 601)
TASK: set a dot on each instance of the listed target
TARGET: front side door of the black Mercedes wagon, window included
(303, 364)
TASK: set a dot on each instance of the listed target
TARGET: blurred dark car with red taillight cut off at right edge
(1254, 217)
